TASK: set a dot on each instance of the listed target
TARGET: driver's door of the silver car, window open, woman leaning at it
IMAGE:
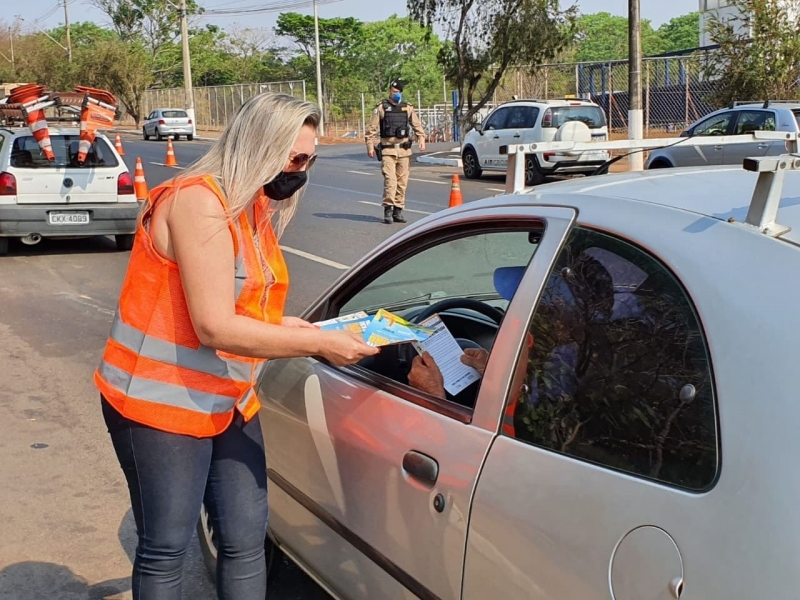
(371, 480)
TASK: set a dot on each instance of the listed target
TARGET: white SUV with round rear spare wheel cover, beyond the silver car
(528, 122)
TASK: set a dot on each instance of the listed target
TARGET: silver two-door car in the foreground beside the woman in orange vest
(633, 435)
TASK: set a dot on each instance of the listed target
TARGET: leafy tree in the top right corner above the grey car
(759, 54)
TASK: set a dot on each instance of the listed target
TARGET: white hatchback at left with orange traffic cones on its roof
(63, 198)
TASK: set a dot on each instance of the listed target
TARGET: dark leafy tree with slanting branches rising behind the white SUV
(486, 38)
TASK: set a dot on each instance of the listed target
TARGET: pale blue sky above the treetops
(32, 11)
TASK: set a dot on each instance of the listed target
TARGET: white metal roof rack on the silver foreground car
(764, 204)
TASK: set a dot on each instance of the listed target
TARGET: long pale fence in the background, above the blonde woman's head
(214, 105)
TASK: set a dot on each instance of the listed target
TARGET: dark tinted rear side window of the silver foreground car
(618, 372)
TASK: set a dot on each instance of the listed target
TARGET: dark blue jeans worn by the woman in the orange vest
(169, 476)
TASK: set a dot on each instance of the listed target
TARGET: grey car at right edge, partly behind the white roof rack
(741, 119)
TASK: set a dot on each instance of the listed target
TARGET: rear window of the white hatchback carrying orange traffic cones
(26, 153)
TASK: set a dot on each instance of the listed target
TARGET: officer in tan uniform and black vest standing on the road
(395, 120)
